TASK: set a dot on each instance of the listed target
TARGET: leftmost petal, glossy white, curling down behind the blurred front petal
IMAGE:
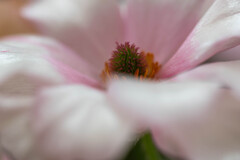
(25, 68)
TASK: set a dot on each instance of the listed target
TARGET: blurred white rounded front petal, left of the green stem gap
(76, 122)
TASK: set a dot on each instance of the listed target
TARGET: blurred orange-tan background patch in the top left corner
(10, 19)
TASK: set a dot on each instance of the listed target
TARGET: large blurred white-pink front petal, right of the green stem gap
(193, 116)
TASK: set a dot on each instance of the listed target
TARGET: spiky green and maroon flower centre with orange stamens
(127, 60)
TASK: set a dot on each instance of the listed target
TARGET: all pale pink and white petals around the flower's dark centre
(192, 114)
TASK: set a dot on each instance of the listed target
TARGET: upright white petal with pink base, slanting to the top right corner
(217, 31)
